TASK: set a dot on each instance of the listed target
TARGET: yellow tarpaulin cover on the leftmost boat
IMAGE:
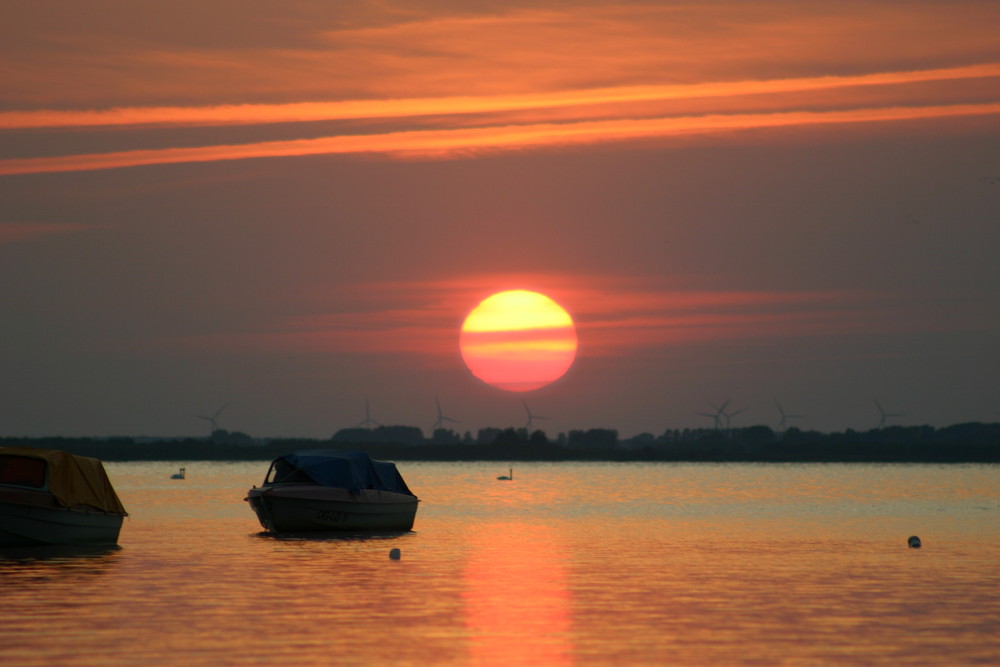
(74, 480)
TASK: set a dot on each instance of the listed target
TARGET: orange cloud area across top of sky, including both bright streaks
(419, 82)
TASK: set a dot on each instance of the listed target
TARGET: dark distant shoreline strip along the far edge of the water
(974, 443)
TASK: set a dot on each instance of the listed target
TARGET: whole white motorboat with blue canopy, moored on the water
(331, 490)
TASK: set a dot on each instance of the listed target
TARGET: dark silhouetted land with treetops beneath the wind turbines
(962, 443)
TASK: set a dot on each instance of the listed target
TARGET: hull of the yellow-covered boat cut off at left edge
(27, 525)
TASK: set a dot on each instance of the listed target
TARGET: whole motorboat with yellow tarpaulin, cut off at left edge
(51, 497)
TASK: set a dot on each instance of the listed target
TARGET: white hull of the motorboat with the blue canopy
(310, 508)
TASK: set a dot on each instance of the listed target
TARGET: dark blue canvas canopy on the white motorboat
(337, 468)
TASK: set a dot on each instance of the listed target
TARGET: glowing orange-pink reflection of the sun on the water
(517, 600)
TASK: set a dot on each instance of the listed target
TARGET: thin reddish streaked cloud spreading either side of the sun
(613, 316)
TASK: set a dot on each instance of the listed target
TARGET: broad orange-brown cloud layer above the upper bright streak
(377, 50)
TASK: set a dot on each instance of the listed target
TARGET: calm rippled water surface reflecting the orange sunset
(568, 564)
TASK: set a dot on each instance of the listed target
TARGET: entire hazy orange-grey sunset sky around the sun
(289, 208)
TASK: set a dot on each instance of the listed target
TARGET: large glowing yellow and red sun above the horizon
(518, 340)
